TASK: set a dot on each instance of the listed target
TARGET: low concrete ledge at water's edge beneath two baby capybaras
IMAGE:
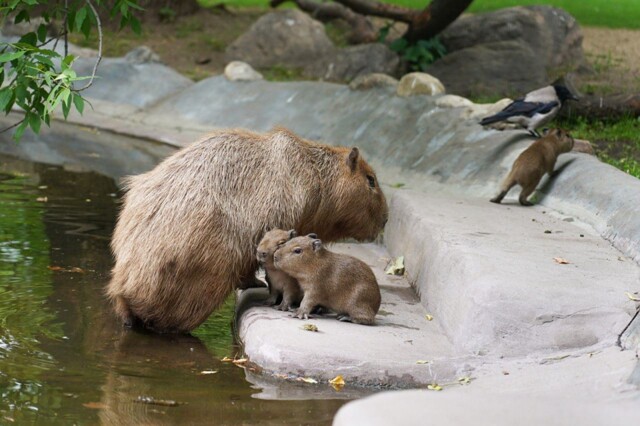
(382, 355)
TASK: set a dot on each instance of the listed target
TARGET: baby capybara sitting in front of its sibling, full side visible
(339, 282)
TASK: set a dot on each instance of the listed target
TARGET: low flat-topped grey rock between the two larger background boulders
(354, 61)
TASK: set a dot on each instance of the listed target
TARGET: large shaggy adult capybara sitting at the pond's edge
(189, 228)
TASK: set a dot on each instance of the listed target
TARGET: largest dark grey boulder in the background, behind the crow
(508, 52)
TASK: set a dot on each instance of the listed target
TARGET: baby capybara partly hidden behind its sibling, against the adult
(281, 285)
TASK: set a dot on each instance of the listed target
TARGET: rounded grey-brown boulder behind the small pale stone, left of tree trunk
(288, 38)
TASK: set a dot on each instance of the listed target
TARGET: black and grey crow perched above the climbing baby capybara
(535, 110)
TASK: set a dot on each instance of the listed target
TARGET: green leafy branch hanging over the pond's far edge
(38, 79)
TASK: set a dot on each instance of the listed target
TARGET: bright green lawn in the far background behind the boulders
(597, 13)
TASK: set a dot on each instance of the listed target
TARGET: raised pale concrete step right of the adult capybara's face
(488, 273)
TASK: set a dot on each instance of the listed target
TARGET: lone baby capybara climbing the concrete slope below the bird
(534, 162)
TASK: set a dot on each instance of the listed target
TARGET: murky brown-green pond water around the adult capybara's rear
(63, 357)
